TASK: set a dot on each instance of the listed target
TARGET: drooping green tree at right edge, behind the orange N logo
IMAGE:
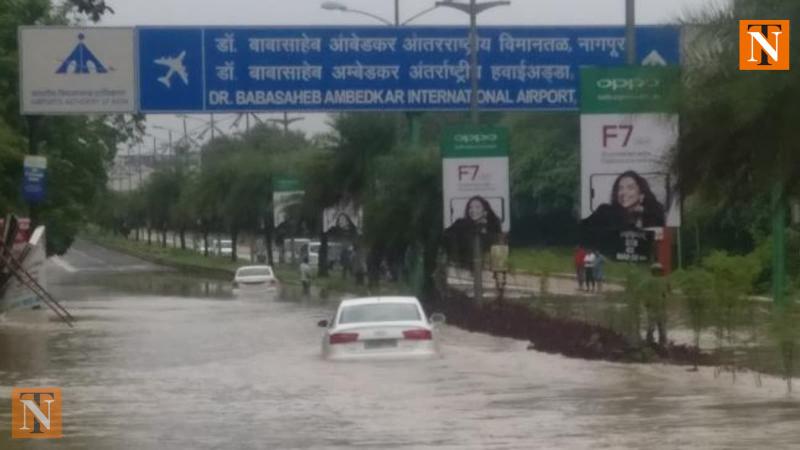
(737, 127)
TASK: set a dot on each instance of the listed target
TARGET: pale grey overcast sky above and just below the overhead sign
(309, 12)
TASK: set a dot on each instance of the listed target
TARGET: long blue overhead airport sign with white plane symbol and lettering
(218, 69)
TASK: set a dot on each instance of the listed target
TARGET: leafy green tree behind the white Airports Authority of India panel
(78, 148)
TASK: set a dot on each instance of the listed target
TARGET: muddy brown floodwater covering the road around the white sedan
(161, 360)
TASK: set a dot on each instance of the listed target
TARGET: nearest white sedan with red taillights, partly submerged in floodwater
(380, 327)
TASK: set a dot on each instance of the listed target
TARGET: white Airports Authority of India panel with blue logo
(72, 70)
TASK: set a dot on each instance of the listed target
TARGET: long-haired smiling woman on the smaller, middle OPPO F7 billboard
(478, 217)
